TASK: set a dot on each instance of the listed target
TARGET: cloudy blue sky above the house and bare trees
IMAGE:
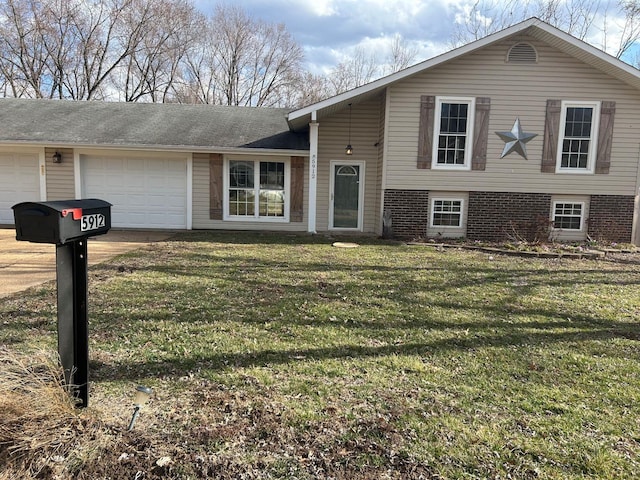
(330, 30)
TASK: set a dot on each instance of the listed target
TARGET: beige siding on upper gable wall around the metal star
(516, 91)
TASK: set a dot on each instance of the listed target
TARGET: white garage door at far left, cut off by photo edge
(19, 182)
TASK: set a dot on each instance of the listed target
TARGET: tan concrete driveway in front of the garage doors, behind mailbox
(25, 264)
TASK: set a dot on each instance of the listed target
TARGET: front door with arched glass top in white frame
(346, 195)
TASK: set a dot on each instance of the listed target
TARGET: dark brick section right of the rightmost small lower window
(611, 218)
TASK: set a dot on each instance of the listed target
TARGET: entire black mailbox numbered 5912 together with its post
(68, 224)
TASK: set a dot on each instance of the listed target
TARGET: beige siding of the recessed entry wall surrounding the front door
(333, 138)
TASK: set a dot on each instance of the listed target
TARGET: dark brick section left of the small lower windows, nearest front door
(409, 212)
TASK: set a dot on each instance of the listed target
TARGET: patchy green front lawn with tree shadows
(284, 357)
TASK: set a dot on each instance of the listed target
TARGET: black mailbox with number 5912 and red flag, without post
(62, 221)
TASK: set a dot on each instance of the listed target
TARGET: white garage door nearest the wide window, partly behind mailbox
(145, 192)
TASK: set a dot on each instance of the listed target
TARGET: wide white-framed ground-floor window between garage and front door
(257, 190)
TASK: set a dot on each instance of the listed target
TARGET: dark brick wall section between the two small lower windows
(496, 216)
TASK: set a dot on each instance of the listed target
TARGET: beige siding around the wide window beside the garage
(201, 204)
